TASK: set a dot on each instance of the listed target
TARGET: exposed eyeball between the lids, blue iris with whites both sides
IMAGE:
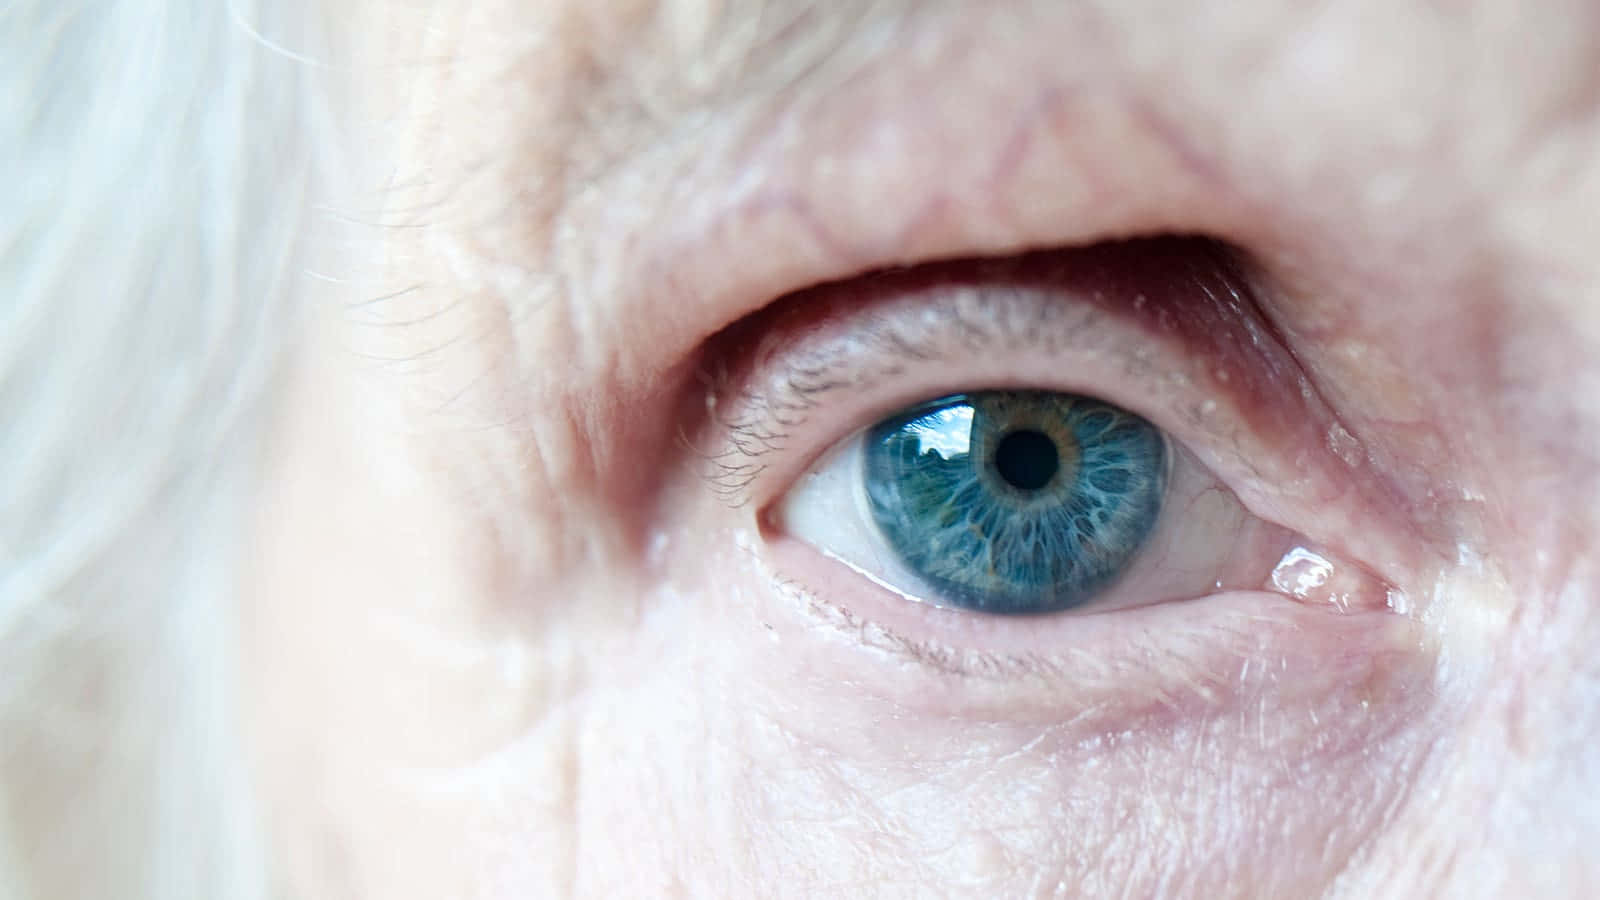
(1017, 502)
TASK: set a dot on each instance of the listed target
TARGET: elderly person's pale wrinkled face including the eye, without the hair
(753, 465)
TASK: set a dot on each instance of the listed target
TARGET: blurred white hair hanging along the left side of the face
(158, 159)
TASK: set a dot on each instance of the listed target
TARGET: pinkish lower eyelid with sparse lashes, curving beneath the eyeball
(1164, 661)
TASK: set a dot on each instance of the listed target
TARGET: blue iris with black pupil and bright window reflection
(1015, 502)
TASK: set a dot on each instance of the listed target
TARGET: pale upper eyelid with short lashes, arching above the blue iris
(866, 334)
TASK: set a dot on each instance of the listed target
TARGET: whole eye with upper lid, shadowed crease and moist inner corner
(1063, 435)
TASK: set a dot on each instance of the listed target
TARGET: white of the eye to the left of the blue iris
(828, 510)
